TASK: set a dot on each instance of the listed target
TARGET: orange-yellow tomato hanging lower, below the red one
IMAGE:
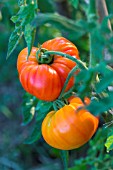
(69, 128)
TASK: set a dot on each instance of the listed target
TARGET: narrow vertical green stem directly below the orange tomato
(64, 156)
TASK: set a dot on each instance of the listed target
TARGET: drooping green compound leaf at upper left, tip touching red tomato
(22, 22)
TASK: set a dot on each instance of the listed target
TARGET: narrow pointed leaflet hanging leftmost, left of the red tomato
(14, 40)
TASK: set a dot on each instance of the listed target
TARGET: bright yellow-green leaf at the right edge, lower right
(109, 142)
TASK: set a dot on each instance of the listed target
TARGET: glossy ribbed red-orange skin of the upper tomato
(42, 80)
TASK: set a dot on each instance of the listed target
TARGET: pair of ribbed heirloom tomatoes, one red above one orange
(43, 75)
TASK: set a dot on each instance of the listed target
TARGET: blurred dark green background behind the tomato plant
(14, 154)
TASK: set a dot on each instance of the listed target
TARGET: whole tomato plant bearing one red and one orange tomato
(53, 74)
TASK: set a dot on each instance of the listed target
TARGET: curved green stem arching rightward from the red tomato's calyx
(78, 62)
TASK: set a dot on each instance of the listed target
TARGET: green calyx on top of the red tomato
(44, 58)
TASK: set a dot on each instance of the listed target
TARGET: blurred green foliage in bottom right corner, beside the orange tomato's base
(95, 154)
